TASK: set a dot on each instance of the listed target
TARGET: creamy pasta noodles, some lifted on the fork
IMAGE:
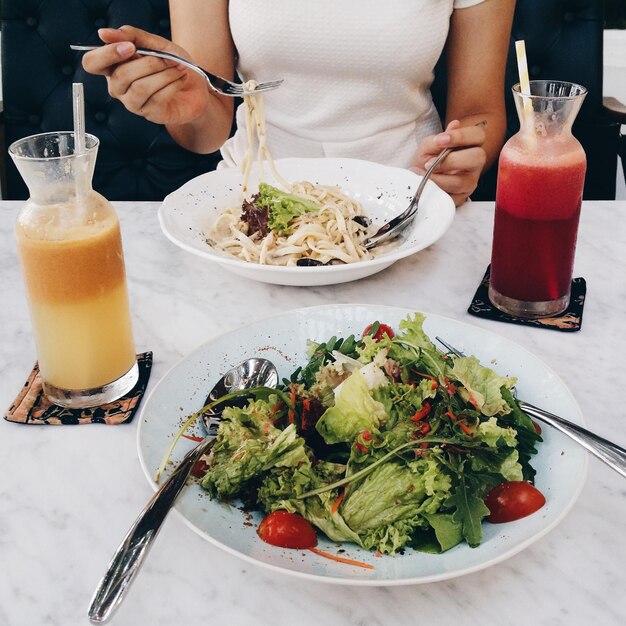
(333, 233)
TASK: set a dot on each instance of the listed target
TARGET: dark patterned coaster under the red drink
(569, 321)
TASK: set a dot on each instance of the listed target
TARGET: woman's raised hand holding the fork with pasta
(162, 91)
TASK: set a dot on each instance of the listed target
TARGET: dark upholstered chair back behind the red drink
(564, 41)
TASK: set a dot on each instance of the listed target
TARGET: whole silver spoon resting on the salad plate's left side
(131, 553)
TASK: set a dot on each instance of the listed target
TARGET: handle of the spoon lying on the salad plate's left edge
(134, 548)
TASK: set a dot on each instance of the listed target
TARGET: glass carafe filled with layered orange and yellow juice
(70, 249)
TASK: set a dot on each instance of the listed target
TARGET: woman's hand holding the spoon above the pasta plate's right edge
(459, 172)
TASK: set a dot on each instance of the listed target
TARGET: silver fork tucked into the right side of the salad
(607, 451)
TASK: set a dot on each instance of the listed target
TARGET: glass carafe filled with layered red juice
(541, 173)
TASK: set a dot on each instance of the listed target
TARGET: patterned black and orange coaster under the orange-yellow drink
(32, 407)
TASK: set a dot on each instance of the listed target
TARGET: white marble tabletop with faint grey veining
(68, 494)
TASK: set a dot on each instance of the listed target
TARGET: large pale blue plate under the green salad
(560, 463)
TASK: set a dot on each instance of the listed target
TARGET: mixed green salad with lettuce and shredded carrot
(382, 440)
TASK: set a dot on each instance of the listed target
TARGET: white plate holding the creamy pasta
(187, 214)
